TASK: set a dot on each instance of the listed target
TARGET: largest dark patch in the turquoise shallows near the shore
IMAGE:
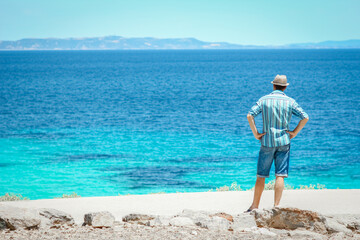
(155, 176)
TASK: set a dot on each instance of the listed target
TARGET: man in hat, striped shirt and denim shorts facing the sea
(276, 109)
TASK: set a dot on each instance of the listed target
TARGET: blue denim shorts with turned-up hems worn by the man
(281, 157)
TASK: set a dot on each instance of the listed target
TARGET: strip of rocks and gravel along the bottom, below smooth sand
(274, 223)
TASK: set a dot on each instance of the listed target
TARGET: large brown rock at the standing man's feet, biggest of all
(290, 219)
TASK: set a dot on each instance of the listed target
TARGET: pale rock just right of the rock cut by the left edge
(54, 218)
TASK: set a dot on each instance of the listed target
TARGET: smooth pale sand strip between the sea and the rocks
(233, 202)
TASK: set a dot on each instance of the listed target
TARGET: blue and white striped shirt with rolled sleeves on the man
(276, 109)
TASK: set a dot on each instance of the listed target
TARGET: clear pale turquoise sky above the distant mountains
(254, 22)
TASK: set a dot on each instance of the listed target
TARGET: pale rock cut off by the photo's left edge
(14, 218)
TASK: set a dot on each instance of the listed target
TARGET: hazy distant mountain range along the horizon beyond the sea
(122, 43)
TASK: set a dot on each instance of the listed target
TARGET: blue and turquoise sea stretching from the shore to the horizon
(116, 122)
